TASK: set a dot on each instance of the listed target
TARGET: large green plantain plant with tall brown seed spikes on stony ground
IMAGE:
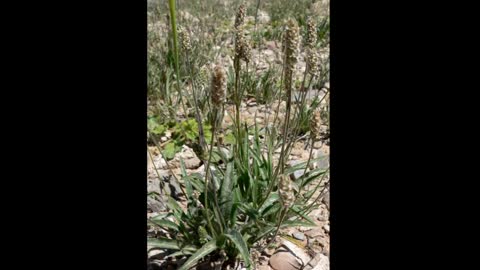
(246, 194)
